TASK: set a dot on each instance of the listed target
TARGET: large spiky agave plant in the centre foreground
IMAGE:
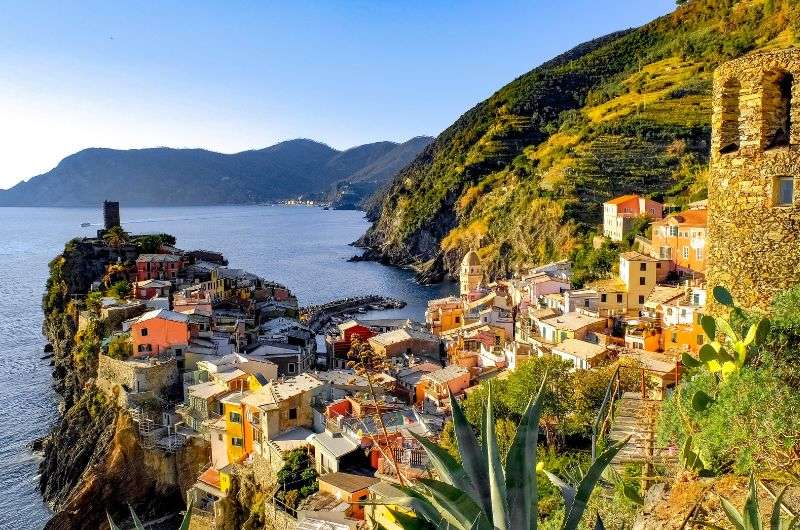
(480, 494)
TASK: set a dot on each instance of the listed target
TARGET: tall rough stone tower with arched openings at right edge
(754, 191)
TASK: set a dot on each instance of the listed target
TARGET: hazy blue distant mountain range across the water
(164, 176)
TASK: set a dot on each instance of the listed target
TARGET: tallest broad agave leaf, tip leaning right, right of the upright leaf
(521, 467)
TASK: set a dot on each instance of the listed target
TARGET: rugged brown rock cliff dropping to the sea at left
(93, 462)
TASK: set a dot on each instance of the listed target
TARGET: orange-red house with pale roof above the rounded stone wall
(158, 331)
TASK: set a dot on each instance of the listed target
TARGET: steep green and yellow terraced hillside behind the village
(522, 175)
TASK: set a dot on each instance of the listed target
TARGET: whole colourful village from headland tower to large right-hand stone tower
(216, 358)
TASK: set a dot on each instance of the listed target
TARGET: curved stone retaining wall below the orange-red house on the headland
(119, 379)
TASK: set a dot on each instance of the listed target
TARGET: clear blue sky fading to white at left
(234, 75)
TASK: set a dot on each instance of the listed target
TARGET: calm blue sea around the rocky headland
(306, 248)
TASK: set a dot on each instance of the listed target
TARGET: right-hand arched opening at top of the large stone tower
(776, 101)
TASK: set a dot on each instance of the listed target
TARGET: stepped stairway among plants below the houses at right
(636, 417)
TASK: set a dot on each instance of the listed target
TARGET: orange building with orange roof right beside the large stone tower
(681, 238)
